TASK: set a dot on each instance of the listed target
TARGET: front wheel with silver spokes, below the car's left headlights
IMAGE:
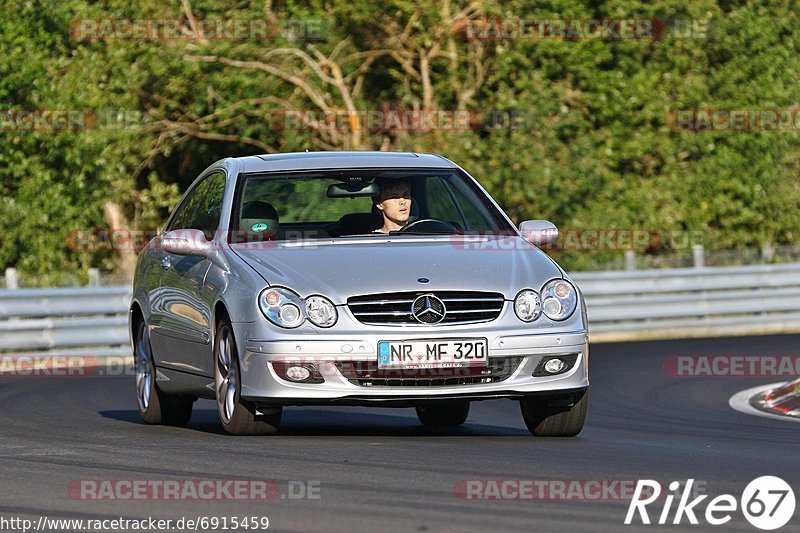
(237, 415)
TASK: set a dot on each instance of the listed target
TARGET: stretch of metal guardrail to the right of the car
(692, 302)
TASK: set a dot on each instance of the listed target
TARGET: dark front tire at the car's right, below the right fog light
(561, 418)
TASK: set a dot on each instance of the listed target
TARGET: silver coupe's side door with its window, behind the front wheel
(182, 335)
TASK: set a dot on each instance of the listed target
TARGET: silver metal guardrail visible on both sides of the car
(628, 305)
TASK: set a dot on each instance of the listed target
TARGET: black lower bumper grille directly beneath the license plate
(367, 374)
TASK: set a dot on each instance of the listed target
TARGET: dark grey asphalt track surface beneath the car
(380, 470)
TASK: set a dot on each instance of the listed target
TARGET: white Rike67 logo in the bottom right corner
(767, 502)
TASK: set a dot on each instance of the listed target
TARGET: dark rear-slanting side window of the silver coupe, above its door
(202, 209)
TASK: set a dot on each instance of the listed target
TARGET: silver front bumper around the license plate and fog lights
(262, 386)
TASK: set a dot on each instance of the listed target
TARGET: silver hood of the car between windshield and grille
(349, 267)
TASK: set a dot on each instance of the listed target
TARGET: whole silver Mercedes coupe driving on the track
(353, 278)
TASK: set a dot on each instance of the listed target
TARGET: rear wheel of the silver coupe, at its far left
(155, 406)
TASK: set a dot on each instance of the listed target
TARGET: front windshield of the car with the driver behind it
(347, 203)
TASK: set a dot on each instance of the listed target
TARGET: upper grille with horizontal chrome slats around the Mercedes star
(461, 307)
